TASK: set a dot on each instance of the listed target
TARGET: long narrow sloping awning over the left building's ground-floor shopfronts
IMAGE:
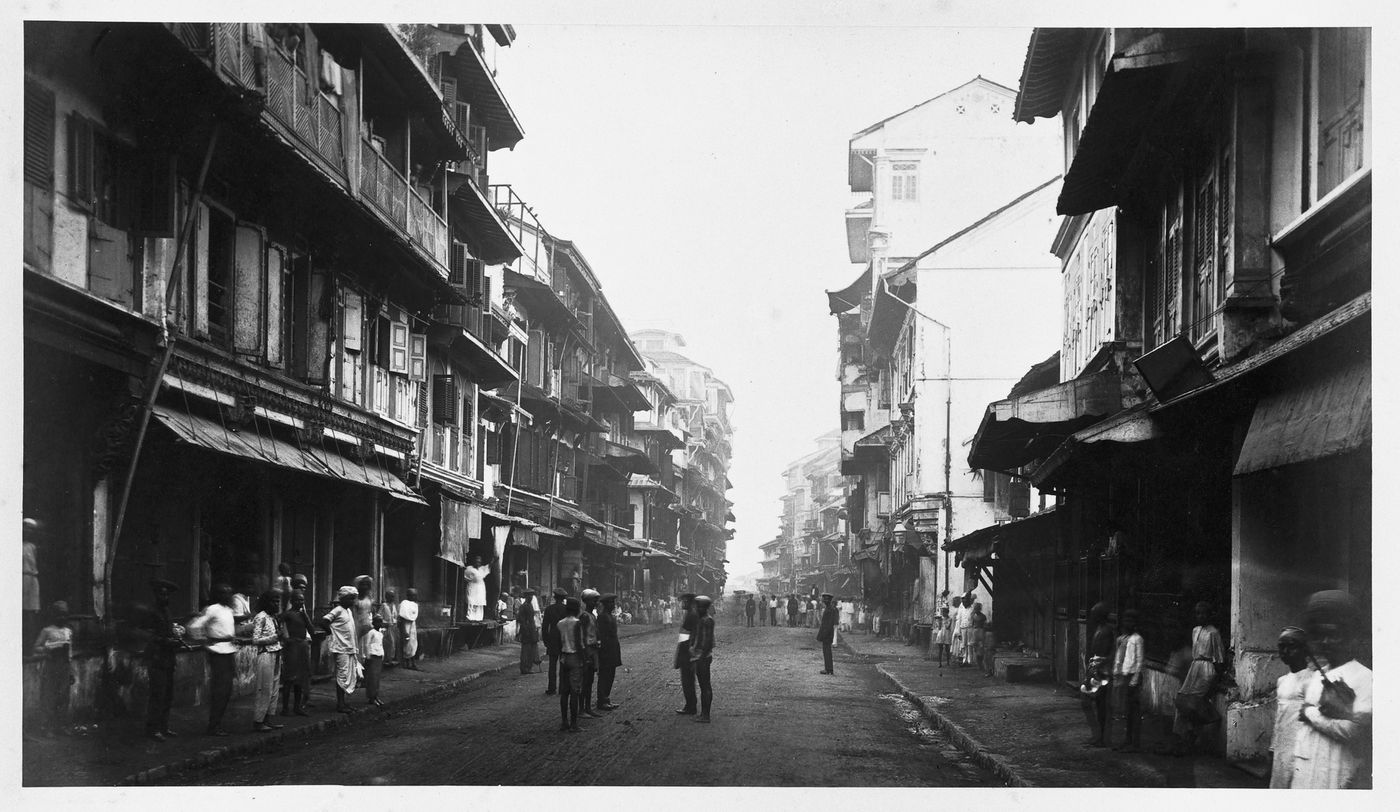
(262, 447)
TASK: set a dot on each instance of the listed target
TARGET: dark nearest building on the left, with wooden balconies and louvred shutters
(247, 332)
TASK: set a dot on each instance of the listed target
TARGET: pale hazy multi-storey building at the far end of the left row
(702, 468)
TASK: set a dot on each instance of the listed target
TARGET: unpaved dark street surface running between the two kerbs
(778, 723)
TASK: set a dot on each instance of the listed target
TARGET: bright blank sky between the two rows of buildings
(702, 171)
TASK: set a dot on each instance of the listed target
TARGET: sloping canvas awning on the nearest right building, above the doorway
(1317, 419)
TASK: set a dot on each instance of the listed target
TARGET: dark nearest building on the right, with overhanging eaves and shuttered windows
(1210, 432)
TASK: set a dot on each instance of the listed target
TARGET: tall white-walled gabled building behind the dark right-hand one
(954, 205)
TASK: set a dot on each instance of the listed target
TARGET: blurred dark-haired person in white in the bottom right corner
(1333, 745)
